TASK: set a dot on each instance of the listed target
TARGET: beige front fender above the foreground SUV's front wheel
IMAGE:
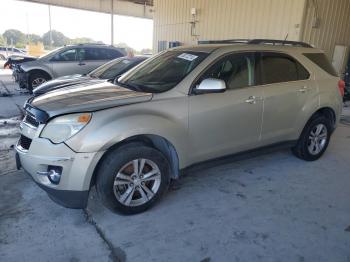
(112, 126)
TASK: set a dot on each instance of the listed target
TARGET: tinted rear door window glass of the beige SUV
(279, 68)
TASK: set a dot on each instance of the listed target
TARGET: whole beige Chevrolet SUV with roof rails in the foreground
(181, 107)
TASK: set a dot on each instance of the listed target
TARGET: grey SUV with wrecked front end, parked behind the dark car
(68, 60)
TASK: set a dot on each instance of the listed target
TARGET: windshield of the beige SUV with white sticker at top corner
(164, 71)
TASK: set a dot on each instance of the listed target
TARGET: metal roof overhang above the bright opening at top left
(135, 8)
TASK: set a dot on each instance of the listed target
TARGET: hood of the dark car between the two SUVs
(61, 82)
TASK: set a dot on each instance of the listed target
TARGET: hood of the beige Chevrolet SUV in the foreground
(87, 98)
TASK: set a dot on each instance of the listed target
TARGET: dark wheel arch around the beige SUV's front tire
(155, 141)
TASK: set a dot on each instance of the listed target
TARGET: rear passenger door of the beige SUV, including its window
(287, 89)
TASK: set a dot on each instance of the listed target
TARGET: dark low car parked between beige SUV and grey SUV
(109, 71)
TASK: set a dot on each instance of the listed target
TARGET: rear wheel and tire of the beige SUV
(314, 139)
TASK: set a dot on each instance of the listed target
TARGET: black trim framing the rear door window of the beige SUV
(283, 54)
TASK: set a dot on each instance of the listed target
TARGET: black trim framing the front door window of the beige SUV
(253, 53)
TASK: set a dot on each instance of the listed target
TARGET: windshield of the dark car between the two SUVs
(114, 68)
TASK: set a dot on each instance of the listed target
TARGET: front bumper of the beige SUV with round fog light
(64, 174)
